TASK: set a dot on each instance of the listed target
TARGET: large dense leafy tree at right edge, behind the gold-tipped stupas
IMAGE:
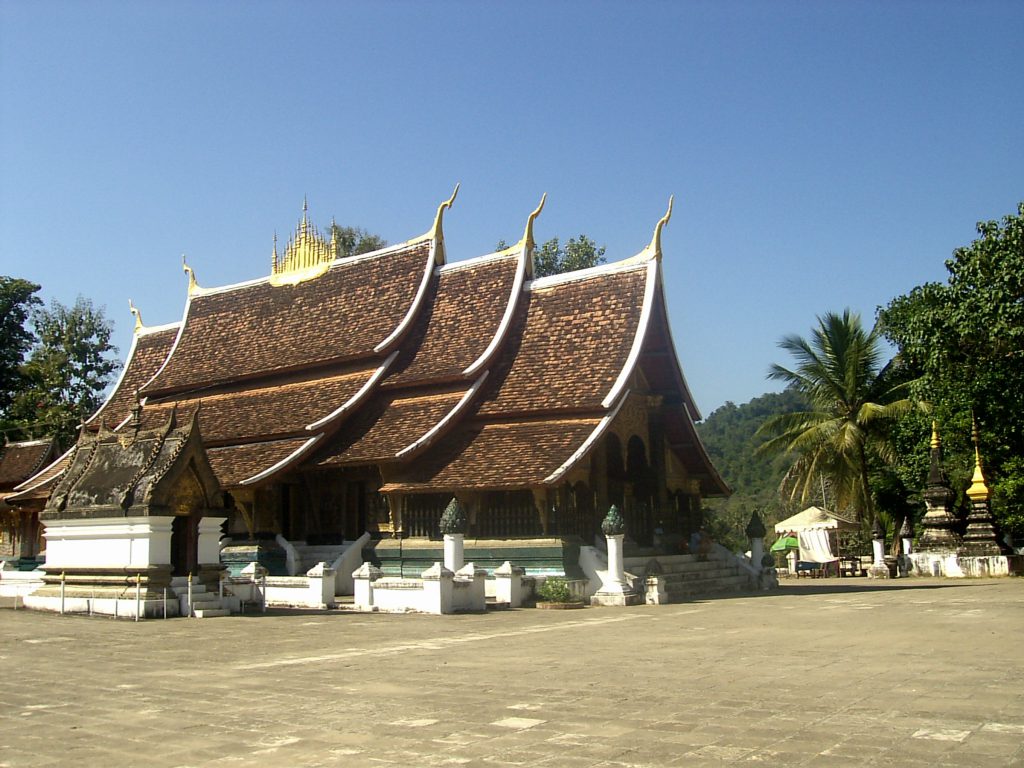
(964, 340)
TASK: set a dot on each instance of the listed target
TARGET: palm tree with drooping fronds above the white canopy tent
(839, 371)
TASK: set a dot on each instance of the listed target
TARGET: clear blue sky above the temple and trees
(823, 155)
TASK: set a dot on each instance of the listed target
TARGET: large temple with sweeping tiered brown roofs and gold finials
(339, 396)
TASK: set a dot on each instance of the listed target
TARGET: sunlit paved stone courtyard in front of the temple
(824, 673)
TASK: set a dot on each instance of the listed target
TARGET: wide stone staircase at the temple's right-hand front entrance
(682, 578)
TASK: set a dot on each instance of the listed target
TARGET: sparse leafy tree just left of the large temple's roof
(68, 371)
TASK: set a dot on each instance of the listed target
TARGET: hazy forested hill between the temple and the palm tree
(729, 434)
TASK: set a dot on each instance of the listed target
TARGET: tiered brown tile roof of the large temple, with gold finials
(442, 376)
